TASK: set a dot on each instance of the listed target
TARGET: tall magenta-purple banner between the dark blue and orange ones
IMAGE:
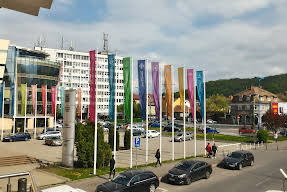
(155, 87)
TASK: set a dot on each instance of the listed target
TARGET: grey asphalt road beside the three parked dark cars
(263, 176)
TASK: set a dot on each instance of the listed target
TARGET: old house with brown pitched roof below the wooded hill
(245, 107)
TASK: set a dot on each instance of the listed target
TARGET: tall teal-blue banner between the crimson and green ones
(111, 68)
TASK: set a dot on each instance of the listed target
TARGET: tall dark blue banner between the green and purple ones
(142, 87)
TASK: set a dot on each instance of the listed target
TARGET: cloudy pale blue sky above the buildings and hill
(227, 39)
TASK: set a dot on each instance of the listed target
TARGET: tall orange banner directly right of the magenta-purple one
(167, 79)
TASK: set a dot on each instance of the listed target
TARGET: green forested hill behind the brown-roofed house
(276, 84)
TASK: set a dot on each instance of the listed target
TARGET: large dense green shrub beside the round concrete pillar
(85, 146)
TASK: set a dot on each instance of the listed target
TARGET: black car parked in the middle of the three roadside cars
(187, 171)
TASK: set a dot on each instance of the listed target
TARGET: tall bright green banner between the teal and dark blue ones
(127, 88)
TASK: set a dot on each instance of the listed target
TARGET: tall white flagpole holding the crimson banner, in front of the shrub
(96, 117)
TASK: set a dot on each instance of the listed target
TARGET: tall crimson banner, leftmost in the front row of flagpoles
(92, 85)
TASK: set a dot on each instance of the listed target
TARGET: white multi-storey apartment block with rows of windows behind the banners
(76, 71)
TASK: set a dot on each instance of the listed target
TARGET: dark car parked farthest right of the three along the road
(238, 159)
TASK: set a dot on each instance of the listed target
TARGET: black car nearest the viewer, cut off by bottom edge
(131, 180)
